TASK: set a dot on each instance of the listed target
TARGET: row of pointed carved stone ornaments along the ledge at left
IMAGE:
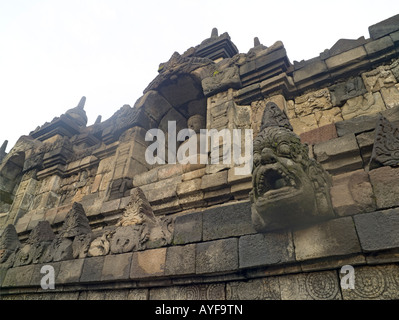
(137, 229)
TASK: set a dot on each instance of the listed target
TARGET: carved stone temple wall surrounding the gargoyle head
(84, 200)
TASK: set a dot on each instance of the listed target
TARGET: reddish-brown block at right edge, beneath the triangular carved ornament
(385, 185)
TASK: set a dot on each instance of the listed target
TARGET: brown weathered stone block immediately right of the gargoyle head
(352, 193)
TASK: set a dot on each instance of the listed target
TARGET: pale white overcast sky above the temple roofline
(53, 52)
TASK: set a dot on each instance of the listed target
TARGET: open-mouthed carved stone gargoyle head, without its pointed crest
(289, 189)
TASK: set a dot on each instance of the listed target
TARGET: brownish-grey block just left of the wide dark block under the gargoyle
(217, 256)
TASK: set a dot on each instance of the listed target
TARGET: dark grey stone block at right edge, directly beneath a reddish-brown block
(378, 230)
